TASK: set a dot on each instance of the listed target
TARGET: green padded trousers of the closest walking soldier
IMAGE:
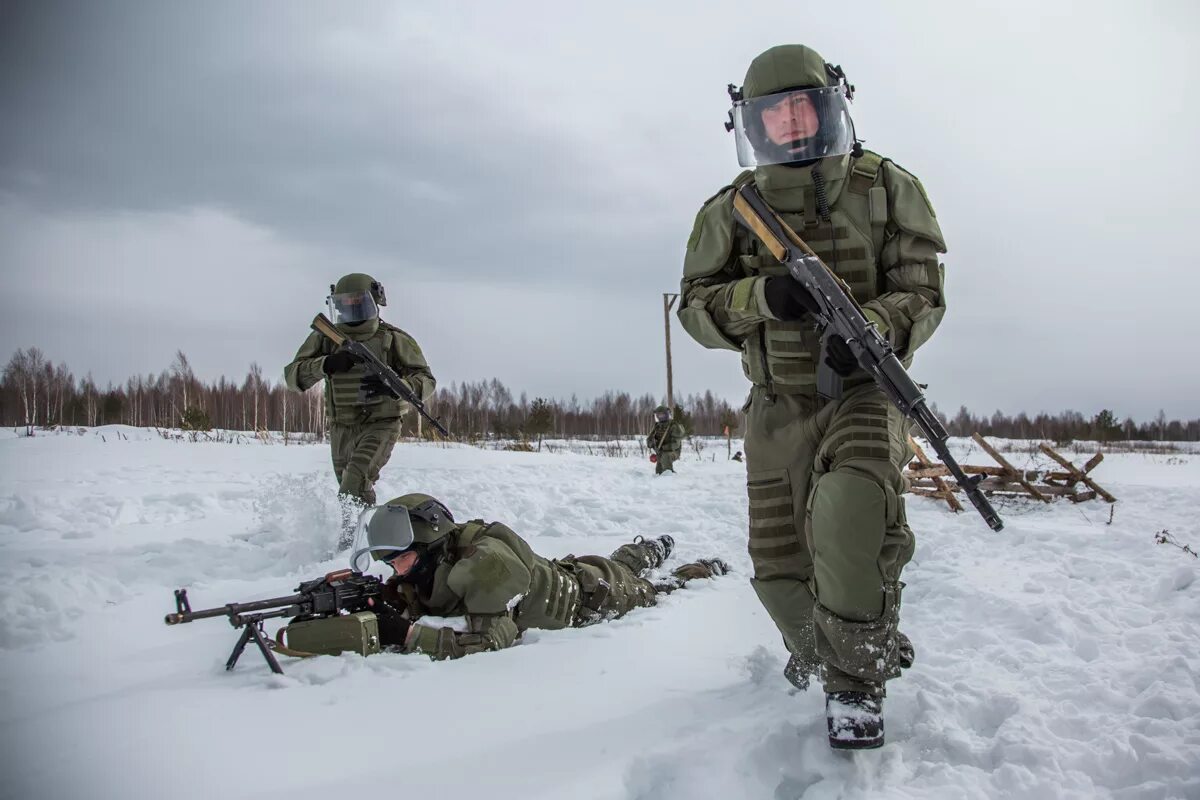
(829, 532)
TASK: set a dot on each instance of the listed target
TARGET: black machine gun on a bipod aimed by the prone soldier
(319, 599)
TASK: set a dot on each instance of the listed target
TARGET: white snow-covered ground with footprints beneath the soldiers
(1059, 659)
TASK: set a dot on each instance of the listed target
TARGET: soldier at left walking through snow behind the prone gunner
(364, 416)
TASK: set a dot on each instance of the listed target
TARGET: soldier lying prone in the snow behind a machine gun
(490, 576)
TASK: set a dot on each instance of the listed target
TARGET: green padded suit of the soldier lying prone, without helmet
(491, 576)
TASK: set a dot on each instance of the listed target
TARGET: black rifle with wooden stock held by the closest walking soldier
(839, 315)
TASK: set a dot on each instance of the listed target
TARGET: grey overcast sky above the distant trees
(524, 177)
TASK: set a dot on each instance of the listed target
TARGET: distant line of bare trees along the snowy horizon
(37, 393)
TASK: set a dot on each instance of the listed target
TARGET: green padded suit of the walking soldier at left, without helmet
(363, 431)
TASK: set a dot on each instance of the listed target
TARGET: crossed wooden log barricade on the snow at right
(929, 479)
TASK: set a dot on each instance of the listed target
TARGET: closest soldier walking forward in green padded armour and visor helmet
(829, 533)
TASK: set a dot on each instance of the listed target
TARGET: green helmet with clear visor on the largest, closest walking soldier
(793, 107)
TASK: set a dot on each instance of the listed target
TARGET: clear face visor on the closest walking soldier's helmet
(796, 125)
